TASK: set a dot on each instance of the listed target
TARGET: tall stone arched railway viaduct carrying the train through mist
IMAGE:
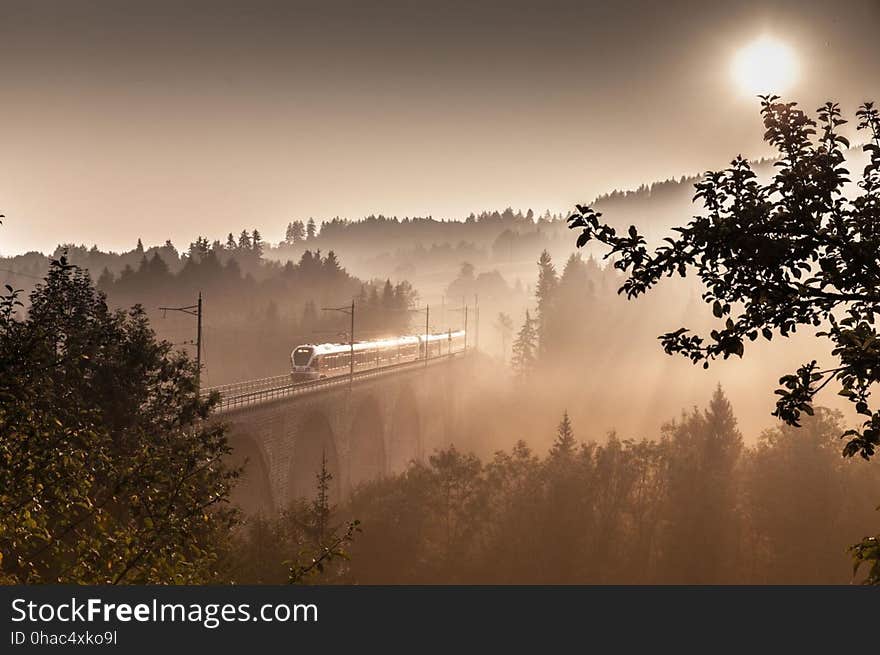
(363, 427)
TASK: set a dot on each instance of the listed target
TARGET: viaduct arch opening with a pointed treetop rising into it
(314, 441)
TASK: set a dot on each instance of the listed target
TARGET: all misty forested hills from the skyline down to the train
(249, 282)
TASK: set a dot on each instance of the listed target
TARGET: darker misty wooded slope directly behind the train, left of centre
(255, 310)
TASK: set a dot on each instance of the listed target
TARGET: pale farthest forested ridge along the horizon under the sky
(501, 236)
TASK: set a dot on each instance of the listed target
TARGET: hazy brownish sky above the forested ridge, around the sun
(172, 119)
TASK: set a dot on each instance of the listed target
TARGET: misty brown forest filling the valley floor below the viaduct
(692, 506)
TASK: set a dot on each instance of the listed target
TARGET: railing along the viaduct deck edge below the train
(253, 392)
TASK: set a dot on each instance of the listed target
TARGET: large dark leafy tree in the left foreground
(109, 472)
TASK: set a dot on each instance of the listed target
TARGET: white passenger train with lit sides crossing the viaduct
(315, 361)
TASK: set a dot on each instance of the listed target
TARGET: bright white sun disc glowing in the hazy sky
(765, 66)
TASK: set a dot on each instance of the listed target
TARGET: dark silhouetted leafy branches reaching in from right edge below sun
(795, 251)
